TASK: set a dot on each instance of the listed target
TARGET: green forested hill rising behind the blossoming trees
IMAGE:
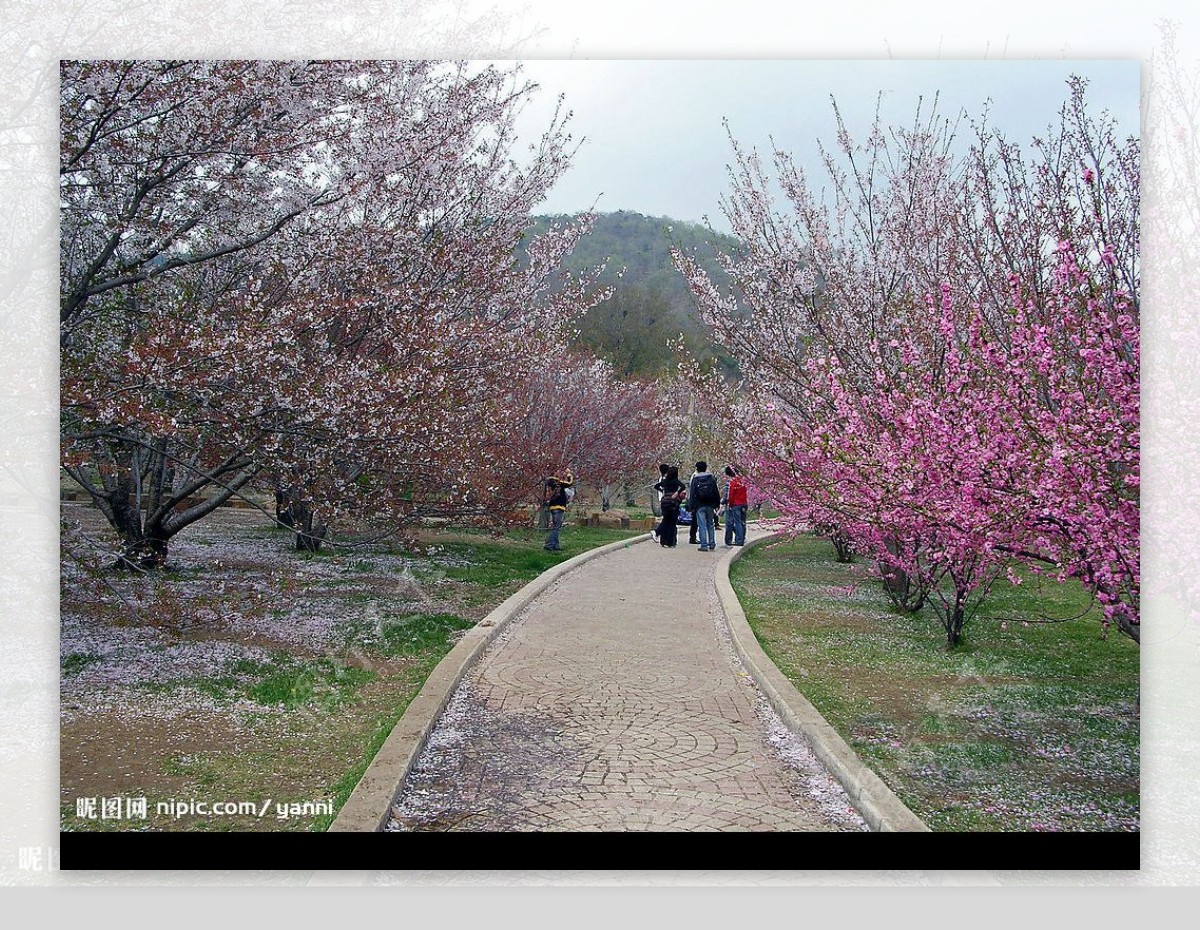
(651, 303)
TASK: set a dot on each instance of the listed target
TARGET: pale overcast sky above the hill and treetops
(653, 131)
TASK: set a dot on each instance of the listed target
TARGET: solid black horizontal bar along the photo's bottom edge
(832, 851)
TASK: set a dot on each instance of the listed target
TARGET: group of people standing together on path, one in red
(703, 496)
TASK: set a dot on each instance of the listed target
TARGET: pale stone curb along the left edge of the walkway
(369, 807)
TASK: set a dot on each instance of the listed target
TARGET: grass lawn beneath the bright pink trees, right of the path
(1025, 727)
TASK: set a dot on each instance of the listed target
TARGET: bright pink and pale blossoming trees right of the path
(941, 361)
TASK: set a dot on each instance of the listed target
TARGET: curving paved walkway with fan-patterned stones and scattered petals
(615, 703)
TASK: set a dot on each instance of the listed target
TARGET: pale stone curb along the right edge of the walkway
(880, 807)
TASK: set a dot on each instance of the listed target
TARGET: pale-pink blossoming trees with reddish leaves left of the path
(296, 272)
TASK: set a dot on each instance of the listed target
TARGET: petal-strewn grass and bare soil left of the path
(251, 674)
